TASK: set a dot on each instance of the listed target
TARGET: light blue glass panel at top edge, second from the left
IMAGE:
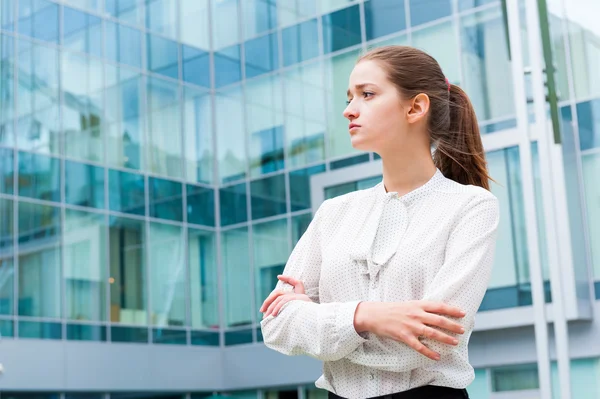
(39, 19)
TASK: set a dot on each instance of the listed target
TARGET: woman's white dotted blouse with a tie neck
(436, 243)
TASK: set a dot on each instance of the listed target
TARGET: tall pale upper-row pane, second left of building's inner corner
(164, 128)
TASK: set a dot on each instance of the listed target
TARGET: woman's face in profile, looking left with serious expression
(377, 114)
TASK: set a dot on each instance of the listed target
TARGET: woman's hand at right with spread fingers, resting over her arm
(407, 321)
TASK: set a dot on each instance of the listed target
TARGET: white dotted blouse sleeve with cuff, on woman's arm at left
(323, 331)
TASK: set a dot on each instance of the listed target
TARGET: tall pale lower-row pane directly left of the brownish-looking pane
(85, 268)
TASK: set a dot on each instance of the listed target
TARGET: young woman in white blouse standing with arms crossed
(385, 283)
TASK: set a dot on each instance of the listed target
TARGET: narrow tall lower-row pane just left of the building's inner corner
(203, 279)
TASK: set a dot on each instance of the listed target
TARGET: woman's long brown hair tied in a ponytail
(453, 127)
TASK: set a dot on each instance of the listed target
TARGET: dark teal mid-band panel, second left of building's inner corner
(166, 199)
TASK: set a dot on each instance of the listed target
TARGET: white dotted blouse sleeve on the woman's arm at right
(461, 281)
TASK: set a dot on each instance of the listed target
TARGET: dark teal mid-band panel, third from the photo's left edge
(84, 184)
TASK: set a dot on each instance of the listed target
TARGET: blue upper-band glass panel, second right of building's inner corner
(262, 55)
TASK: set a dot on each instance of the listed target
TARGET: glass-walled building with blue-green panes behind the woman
(159, 159)
